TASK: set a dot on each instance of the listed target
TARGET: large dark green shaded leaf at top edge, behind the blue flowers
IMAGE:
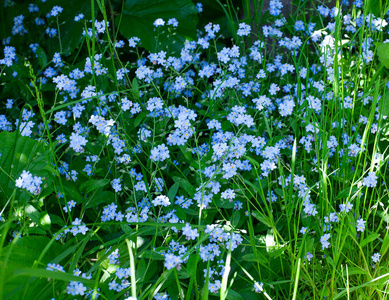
(139, 16)
